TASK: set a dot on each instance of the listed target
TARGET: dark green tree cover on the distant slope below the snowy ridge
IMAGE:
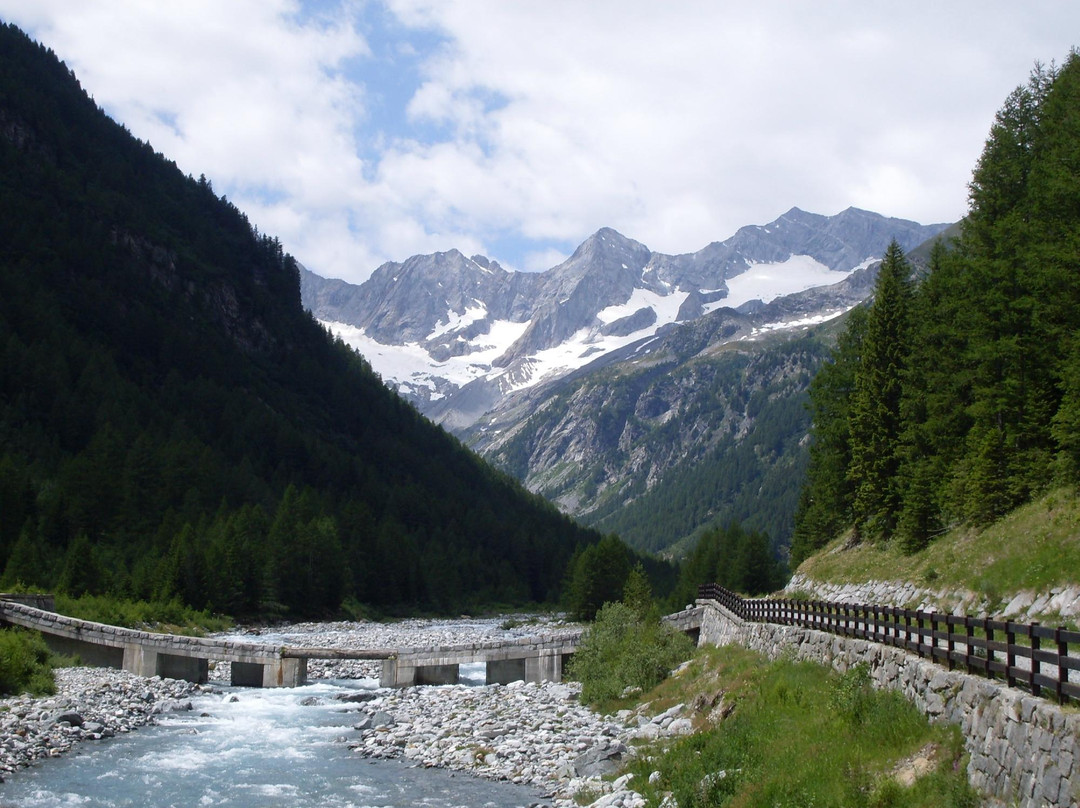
(727, 478)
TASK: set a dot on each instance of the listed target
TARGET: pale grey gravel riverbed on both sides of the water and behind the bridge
(534, 735)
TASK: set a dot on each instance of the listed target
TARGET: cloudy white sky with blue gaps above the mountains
(363, 131)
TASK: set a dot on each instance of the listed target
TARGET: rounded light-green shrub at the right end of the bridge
(624, 650)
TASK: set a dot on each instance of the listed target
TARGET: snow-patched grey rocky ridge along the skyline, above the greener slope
(457, 335)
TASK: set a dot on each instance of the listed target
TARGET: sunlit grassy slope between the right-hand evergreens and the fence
(1035, 548)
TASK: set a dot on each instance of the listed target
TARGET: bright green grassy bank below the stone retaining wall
(795, 734)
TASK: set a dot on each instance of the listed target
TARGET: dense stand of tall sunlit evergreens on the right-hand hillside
(956, 397)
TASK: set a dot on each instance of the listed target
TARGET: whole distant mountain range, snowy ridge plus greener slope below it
(625, 384)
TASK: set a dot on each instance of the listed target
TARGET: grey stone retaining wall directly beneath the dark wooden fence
(1024, 750)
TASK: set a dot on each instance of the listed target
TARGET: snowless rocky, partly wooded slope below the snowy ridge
(688, 429)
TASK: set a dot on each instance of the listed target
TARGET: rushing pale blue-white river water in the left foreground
(252, 748)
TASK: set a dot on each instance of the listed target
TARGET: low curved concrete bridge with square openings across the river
(254, 665)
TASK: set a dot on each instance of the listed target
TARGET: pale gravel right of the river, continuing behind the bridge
(530, 735)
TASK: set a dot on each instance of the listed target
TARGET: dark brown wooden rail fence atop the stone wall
(1025, 655)
